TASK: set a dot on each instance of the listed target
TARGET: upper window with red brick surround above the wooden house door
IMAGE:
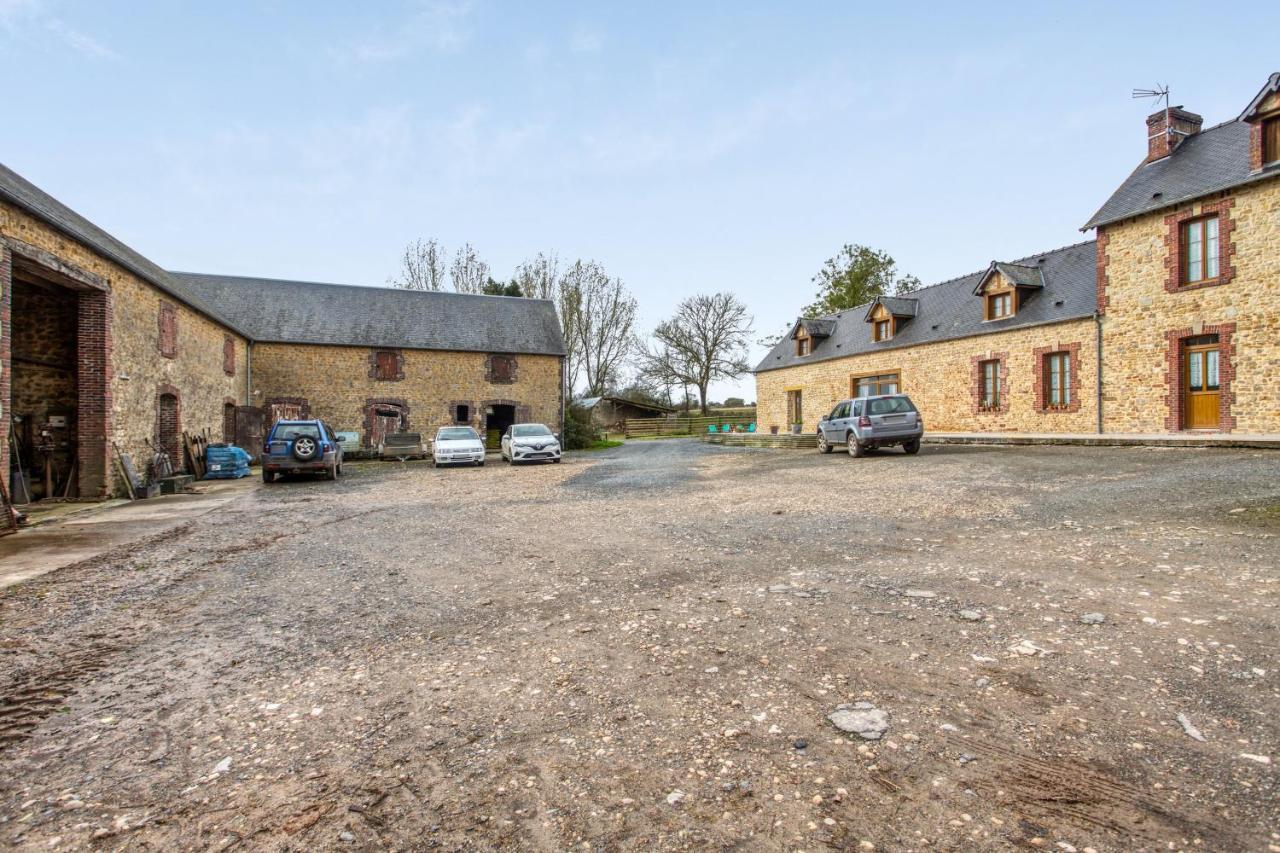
(1199, 248)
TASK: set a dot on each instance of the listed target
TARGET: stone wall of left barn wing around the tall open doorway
(135, 367)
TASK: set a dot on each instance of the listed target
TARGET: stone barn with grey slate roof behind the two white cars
(378, 361)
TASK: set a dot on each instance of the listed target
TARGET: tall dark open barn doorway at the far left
(45, 395)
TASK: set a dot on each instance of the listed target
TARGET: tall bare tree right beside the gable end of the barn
(597, 316)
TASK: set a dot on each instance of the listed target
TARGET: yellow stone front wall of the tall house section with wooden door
(1146, 317)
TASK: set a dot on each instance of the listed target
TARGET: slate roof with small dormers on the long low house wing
(949, 311)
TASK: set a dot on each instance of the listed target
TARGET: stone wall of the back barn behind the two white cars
(340, 384)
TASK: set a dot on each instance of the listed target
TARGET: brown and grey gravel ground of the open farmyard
(641, 650)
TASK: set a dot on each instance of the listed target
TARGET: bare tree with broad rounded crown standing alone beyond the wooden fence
(707, 340)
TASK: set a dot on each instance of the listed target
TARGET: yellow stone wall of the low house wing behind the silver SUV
(941, 381)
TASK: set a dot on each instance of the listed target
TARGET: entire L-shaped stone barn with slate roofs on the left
(103, 352)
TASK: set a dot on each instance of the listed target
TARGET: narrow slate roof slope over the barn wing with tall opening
(28, 197)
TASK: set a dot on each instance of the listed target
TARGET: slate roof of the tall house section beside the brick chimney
(1209, 162)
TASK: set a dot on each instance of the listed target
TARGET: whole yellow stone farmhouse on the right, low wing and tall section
(1169, 321)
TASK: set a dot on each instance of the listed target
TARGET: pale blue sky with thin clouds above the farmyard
(691, 148)
